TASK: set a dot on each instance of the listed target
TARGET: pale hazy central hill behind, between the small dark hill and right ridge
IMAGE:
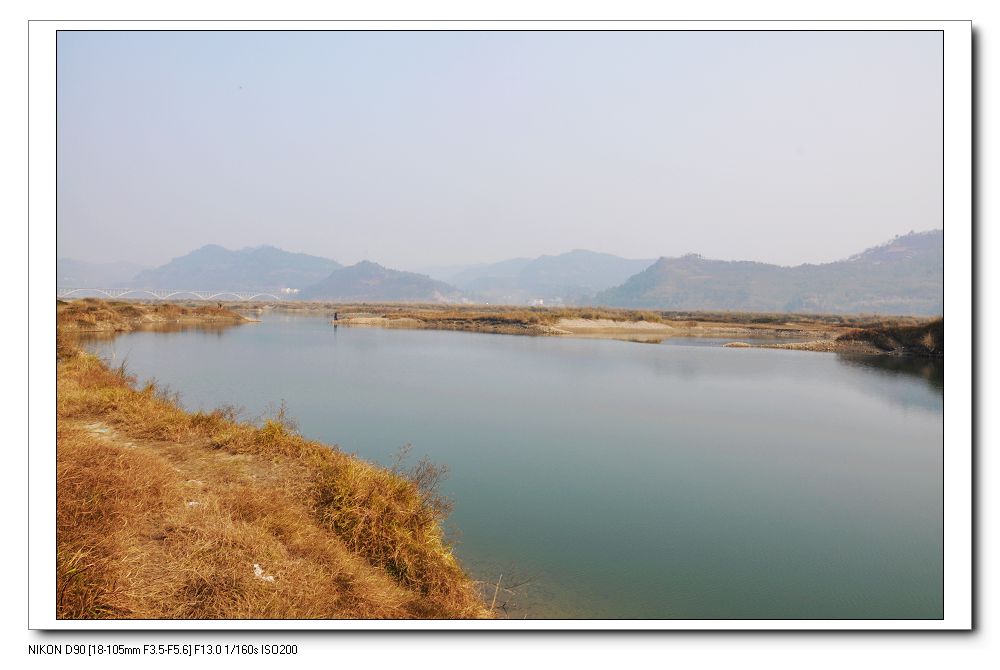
(565, 278)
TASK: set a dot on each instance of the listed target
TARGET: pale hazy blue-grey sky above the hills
(431, 148)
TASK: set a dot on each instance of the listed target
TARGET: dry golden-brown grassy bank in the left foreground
(165, 514)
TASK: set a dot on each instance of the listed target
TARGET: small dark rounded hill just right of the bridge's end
(371, 282)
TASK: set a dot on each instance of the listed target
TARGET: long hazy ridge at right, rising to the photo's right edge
(903, 276)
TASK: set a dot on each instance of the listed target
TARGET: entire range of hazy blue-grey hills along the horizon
(903, 276)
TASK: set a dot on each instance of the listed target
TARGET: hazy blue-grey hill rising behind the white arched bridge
(213, 267)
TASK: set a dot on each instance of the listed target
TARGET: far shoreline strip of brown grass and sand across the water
(828, 333)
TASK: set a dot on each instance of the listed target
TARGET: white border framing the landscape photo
(958, 408)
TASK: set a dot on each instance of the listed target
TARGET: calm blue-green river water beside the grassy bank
(610, 479)
